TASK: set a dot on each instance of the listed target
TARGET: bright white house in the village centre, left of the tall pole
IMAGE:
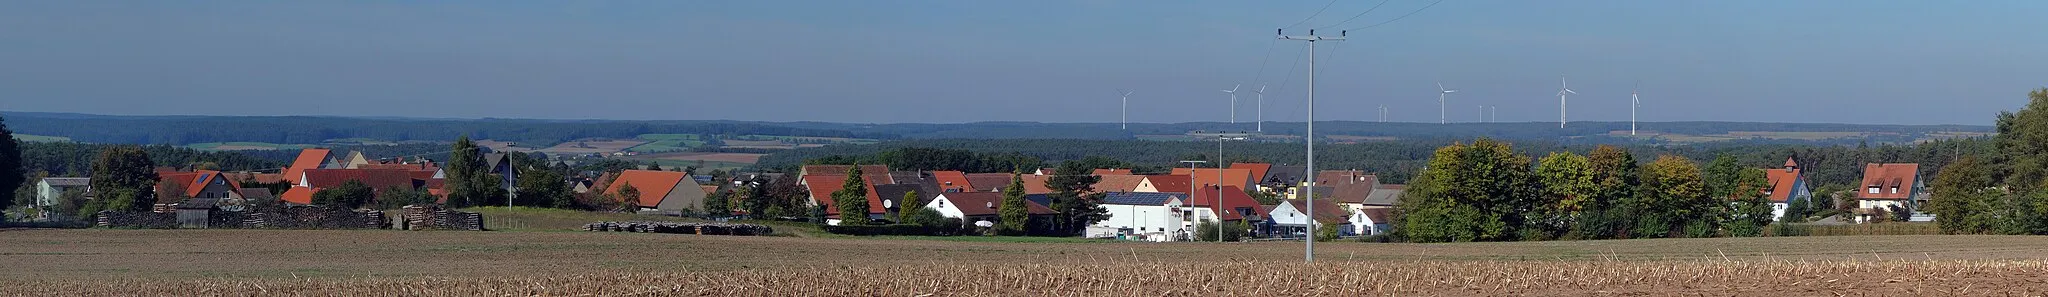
(1140, 216)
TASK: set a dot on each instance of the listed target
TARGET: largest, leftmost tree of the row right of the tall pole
(1471, 194)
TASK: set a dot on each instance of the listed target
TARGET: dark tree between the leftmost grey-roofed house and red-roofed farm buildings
(124, 179)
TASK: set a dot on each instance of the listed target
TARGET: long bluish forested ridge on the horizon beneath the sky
(183, 130)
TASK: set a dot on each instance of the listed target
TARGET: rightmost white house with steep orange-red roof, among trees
(1889, 185)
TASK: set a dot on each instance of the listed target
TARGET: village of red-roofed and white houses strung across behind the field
(1265, 200)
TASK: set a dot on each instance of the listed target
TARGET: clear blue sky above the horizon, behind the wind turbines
(1035, 60)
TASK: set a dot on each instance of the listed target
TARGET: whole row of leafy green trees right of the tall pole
(1488, 192)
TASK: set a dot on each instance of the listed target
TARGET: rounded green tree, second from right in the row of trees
(1674, 196)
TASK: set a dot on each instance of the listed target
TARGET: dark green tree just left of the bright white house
(1070, 183)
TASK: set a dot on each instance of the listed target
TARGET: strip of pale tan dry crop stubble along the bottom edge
(1187, 280)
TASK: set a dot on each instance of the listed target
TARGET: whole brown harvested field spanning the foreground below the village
(564, 263)
